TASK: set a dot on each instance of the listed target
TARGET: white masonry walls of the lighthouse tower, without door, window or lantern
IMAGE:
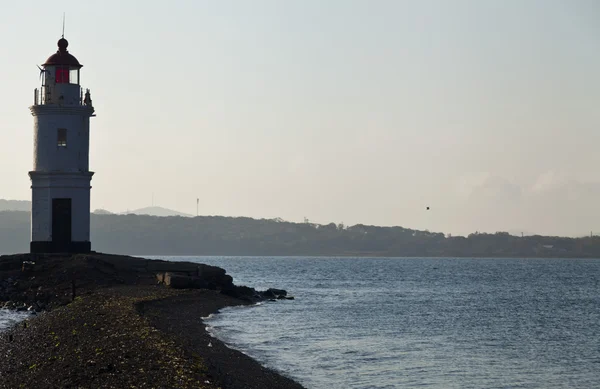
(61, 171)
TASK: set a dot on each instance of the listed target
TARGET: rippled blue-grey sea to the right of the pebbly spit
(420, 322)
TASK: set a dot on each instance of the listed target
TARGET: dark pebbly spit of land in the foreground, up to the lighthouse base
(125, 333)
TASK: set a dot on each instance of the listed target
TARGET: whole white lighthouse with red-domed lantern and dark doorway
(60, 180)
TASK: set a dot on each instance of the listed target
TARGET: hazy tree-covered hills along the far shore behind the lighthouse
(217, 235)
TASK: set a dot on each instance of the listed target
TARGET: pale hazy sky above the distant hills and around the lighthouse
(337, 110)
